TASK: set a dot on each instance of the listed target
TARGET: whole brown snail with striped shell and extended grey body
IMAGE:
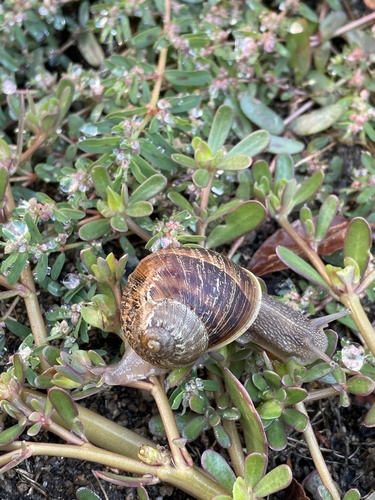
(181, 302)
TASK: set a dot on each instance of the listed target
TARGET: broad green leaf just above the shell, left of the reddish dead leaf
(239, 222)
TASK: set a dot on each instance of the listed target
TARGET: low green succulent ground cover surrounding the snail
(128, 127)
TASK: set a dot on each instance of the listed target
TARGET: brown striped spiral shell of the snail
(178, 303)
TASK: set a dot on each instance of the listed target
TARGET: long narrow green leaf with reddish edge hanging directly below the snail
(252, 425)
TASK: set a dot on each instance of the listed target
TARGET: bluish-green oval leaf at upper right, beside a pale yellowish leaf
(262, 115)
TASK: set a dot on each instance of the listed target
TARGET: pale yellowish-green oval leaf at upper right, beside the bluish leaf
(318, 120)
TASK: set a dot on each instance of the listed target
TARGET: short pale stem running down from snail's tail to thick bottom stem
(180, 455)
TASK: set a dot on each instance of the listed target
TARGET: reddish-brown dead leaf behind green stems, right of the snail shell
(265, 260)
